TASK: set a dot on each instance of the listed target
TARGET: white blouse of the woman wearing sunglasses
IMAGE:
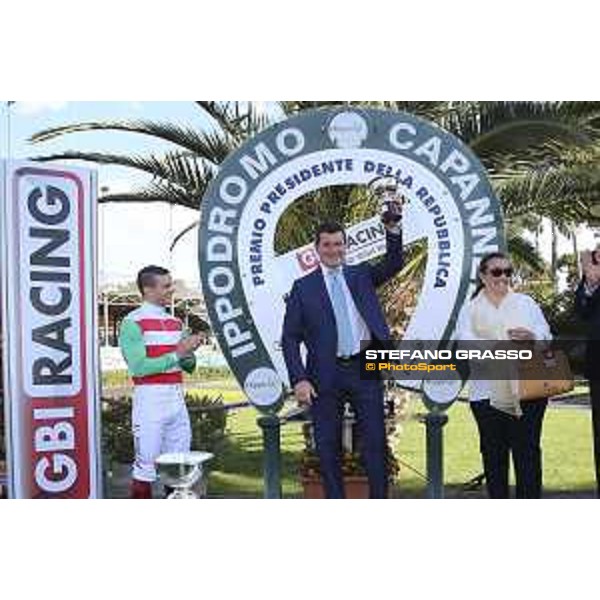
(515, 310)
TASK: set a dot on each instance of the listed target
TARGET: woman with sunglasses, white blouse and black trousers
(506, 425)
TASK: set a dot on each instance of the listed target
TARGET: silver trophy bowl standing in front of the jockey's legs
(182, 471)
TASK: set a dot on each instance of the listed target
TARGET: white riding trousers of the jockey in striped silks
(161, 424)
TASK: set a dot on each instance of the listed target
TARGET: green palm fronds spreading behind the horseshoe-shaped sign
(542, 158)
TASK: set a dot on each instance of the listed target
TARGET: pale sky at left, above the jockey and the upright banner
(130, 235)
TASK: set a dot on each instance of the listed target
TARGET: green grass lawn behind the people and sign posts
(568, 464)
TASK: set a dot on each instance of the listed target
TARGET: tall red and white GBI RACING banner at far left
(51, 370)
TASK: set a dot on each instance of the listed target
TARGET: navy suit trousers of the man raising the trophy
(366, 398)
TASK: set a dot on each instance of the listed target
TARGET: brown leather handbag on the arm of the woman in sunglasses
(547, 374)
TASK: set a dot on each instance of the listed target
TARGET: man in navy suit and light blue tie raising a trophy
(331, 311)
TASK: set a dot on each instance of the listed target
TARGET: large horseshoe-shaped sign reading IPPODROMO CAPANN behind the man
(451, 206)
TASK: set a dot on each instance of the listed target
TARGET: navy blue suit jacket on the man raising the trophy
(310, 320)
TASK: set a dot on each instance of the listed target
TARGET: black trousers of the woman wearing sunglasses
(501, 434)
